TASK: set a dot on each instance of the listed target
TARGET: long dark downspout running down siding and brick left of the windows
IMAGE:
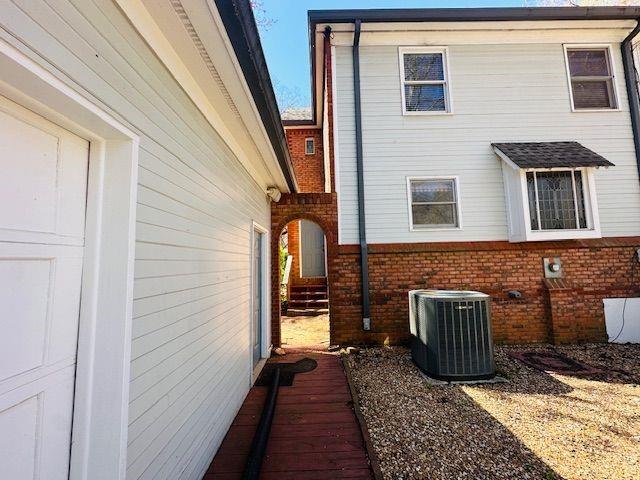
(364, 255)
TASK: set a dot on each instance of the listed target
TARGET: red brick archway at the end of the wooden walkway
(319, 208)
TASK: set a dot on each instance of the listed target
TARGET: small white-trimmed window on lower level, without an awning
(433, 203)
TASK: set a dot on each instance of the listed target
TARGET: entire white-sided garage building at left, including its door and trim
(178, 161)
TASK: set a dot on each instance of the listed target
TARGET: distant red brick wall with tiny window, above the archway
(309, 169)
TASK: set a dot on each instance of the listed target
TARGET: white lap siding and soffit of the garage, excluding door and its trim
(190, 349)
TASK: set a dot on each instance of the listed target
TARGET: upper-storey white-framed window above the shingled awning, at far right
(592, 78)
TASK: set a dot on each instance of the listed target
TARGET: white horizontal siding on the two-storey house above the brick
(503, 93)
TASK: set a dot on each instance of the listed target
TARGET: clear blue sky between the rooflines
(286, 44)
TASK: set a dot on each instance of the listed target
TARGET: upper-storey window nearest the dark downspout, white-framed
(424, 79)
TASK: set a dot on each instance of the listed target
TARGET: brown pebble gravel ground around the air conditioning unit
(536, 426)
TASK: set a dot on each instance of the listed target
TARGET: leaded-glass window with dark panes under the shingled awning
(556, 200)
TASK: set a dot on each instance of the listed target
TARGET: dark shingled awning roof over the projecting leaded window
(550, 155)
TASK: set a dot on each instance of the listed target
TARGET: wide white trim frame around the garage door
(100, 423)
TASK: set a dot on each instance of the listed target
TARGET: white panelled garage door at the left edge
(43, 186)
